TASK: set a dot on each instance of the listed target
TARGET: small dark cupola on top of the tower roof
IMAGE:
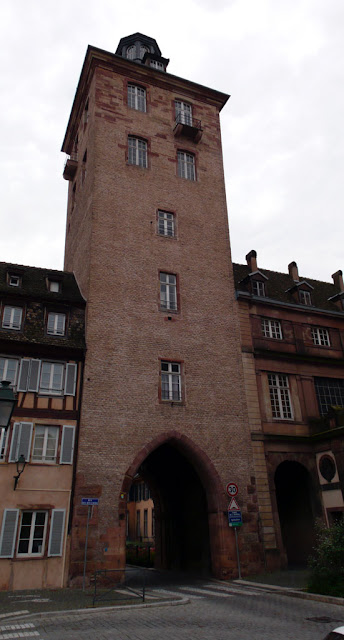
(142, 49)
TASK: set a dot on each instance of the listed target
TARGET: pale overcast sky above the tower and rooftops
(282, 129)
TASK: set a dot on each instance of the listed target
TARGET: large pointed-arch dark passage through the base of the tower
(187, 502)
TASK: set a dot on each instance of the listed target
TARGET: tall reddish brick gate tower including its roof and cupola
(147, 239)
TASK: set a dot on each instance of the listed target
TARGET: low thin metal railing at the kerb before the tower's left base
(119, 584)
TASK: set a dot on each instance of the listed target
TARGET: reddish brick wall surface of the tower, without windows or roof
(113, 247)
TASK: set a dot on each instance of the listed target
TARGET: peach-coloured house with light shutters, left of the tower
(41, 355)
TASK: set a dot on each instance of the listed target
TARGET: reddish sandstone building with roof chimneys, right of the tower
(292, 340)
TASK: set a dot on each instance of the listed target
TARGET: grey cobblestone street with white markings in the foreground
(213, 612)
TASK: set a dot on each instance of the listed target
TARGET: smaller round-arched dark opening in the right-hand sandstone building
(294, 503)
